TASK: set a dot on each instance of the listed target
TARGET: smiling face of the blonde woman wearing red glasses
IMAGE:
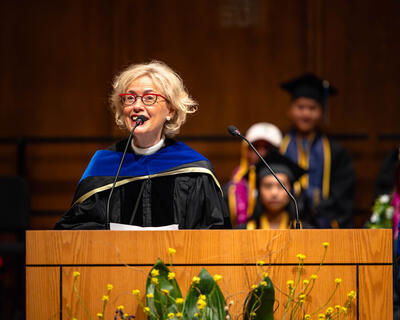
(149, 133)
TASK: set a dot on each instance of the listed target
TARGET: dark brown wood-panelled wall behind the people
(58, 59)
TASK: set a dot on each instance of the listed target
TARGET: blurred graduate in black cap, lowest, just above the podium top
(274, 208)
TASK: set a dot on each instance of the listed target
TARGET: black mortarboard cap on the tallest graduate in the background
(309, 86)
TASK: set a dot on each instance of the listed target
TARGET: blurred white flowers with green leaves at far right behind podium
(382, 213)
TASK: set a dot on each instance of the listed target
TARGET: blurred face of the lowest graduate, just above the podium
(273, 196)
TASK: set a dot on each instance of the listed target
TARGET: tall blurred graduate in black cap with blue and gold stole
(329, 183)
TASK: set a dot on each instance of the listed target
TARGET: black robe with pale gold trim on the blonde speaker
(187, 194)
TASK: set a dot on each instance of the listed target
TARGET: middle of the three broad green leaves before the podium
(215, 308)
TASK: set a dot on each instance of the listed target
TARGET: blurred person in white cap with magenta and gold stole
(240, 192)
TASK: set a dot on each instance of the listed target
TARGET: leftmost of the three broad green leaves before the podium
(162, 304)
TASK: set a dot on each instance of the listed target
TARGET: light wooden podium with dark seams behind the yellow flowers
(361, 258)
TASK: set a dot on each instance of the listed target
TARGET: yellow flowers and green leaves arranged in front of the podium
(204, 300)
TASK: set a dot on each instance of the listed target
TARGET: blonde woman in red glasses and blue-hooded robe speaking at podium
(162, 181)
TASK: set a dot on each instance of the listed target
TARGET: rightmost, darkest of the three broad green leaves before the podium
(260, 302)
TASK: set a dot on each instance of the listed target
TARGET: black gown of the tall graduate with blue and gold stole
(336, 210)
